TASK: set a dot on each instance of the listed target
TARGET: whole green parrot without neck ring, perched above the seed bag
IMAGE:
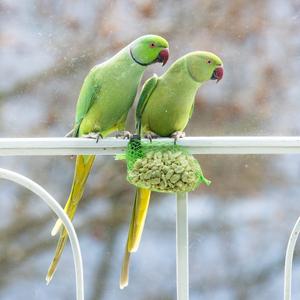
(165, 106)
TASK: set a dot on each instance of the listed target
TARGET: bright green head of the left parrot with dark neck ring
(149, 49)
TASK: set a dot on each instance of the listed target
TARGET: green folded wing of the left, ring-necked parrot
(88, 94)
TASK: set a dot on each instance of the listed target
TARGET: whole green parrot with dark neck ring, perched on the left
(106, 96)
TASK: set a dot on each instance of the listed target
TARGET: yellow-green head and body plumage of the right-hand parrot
(169, 106)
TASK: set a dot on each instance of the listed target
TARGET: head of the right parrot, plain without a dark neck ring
(203, 66)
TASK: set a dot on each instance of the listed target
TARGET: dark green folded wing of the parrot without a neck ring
(147, 90)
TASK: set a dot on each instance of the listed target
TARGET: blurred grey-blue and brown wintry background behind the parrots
(239, 226)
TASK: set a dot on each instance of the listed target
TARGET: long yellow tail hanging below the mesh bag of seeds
(139, 214)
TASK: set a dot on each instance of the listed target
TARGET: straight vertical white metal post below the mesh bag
(182, 247)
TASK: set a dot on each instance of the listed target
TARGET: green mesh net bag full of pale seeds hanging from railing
(162, 167)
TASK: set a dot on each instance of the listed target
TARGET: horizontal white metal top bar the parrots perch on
(112, 146)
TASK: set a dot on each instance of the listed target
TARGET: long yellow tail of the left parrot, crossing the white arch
(82, 169)
